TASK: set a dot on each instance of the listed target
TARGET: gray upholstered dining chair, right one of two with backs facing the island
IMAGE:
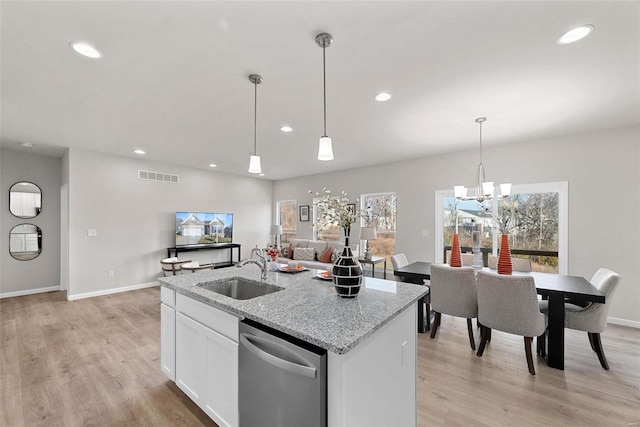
(509, 304)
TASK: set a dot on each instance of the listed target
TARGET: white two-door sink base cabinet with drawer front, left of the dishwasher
(206, 345)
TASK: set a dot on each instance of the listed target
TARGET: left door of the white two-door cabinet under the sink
(190, 357)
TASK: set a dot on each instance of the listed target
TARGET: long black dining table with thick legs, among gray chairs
(556, 288)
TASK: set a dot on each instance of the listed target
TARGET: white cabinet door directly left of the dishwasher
(221, 396)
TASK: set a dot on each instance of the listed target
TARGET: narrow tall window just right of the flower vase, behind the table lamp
(381, 212)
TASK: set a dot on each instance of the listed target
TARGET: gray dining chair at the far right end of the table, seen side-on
(591, 319)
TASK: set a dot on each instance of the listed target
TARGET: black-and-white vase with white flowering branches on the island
(339, 211)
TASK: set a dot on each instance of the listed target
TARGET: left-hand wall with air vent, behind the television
(135, 219)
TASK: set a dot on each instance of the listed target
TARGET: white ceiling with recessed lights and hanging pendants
(173, 78)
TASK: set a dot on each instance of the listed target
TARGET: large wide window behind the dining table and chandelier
(535, 216)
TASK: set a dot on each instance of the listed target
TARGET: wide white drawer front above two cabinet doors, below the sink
(214, 318)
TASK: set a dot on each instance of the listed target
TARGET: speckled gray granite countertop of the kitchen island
(307, 308)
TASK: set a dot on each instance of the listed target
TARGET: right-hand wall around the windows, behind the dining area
(603, 172)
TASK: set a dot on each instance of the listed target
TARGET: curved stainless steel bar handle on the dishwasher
(263, 348)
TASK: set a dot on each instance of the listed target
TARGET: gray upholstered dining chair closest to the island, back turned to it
(453, 292)
